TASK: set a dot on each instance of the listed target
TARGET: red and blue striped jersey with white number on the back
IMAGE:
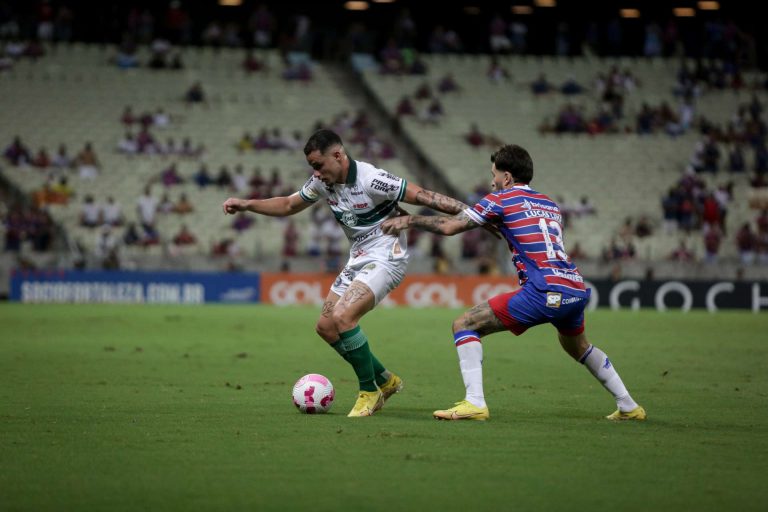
(533, 227)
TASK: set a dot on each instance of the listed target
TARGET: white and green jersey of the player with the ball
(367, 198)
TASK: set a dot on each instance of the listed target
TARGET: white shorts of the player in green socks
(378, 268)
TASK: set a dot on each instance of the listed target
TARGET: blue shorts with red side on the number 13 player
(527, 307)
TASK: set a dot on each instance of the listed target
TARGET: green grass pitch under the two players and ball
(189, 408)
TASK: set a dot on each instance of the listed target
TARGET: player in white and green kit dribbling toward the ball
(361, 197)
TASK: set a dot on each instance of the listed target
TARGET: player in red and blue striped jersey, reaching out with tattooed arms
(551, 288)
